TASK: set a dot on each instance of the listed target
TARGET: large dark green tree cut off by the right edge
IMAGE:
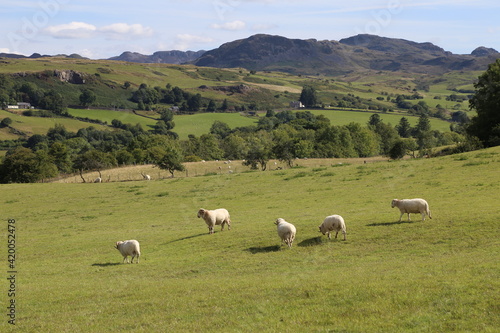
(486, 102)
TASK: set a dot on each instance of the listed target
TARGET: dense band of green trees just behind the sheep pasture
(284, 135)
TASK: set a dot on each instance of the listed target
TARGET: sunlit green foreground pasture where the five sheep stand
(440, 275)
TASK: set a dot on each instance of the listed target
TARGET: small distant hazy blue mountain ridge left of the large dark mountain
(165, 57)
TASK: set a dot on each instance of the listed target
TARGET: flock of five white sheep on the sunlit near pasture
(286, 230)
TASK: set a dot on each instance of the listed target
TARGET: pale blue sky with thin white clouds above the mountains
(100, 29)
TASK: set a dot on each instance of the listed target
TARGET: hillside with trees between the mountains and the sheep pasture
(163, 92)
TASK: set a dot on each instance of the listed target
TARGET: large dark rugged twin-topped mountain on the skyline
(361, 52)
